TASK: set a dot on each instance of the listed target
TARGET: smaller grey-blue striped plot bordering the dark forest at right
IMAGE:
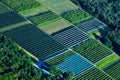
(91, 25)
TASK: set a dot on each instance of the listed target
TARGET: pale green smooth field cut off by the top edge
(59, 6)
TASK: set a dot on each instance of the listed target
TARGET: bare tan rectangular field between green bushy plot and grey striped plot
(55, 26)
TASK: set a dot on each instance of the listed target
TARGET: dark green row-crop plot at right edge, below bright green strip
(114, 71)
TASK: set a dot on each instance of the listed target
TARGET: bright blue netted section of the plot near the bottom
(74, 63)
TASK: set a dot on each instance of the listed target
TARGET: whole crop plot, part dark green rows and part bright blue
(70, 61)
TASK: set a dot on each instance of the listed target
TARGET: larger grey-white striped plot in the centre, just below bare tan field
(70, 36)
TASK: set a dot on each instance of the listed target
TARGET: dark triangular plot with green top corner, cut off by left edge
(9, 17)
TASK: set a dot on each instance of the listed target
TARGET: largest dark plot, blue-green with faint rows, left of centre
(35, 41)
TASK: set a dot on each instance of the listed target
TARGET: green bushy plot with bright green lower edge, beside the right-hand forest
(76, 16)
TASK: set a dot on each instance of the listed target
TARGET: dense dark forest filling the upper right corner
(107, 11)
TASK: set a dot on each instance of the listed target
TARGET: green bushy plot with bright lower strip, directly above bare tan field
(44, 17)
